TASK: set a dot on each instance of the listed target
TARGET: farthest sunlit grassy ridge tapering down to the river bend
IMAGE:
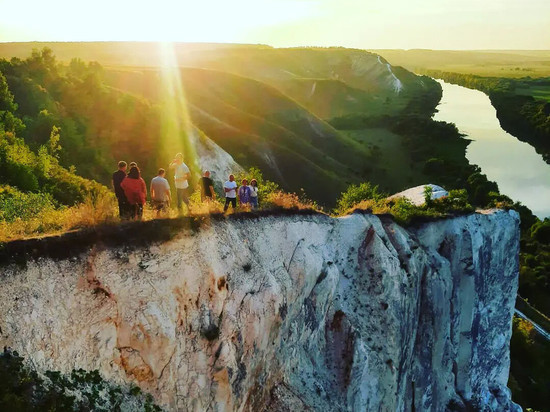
(329, 82)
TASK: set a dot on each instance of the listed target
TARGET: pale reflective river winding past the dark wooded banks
(518, 170)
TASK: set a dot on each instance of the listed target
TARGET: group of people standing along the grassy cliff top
(131, 190)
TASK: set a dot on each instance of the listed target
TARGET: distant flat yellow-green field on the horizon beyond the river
(496, 63)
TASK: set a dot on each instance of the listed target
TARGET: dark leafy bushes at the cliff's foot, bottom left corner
(23, 389)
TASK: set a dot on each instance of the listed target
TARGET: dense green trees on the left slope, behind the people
(71, 111)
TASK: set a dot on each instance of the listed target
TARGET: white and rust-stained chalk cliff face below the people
(284, 313)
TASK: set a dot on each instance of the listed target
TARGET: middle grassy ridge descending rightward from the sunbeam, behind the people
(258, 125)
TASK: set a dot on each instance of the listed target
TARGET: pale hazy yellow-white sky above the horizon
(437, 24)
